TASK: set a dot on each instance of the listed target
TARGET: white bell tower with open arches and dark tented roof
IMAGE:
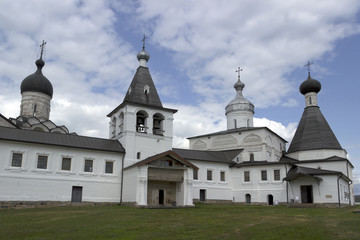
(141, 124)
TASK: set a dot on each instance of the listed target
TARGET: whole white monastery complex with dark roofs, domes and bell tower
(43, 162)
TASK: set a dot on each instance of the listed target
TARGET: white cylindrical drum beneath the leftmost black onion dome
(28, 102)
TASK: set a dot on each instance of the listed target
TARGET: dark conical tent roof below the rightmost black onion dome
(313, 132)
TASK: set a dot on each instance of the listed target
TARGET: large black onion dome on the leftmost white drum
(37, 82)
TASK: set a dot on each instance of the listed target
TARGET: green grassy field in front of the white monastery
(202, 222)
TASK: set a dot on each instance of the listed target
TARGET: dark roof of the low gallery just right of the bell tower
(211, 156)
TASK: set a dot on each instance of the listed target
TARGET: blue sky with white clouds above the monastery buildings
(195, 48)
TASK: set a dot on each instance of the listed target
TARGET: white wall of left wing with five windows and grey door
(27, 183)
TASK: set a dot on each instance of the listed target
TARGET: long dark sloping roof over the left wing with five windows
(63, 140)
